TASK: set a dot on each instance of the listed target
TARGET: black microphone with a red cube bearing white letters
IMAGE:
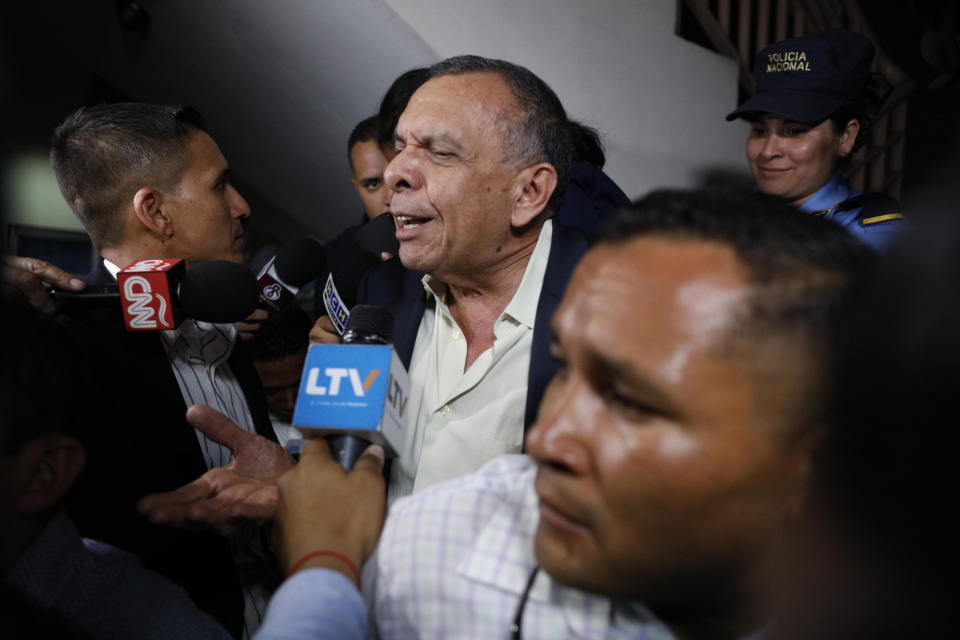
(159, 294)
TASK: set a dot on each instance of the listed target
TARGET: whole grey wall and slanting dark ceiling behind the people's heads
(282, 83)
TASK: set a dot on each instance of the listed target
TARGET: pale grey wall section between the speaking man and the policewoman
(658, 101)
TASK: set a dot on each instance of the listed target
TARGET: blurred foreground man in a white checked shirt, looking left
(671, 451)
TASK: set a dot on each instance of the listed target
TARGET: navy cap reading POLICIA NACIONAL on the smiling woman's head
(804, 79)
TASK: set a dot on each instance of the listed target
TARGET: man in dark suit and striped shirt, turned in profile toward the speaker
(147, 181)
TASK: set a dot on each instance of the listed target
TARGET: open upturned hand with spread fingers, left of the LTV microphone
(222, 498)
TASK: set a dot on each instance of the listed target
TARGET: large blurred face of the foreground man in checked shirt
(659, 472)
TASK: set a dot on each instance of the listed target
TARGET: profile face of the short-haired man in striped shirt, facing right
(206, 210)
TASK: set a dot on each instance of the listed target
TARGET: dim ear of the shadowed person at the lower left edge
(46, 469)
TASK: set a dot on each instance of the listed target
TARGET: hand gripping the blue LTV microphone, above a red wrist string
(324, 507)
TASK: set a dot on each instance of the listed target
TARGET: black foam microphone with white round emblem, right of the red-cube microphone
(298, 262)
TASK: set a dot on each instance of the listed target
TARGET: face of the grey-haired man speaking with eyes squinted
(452, 192)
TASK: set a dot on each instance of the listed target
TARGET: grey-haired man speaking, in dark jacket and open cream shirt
(483, 161)
